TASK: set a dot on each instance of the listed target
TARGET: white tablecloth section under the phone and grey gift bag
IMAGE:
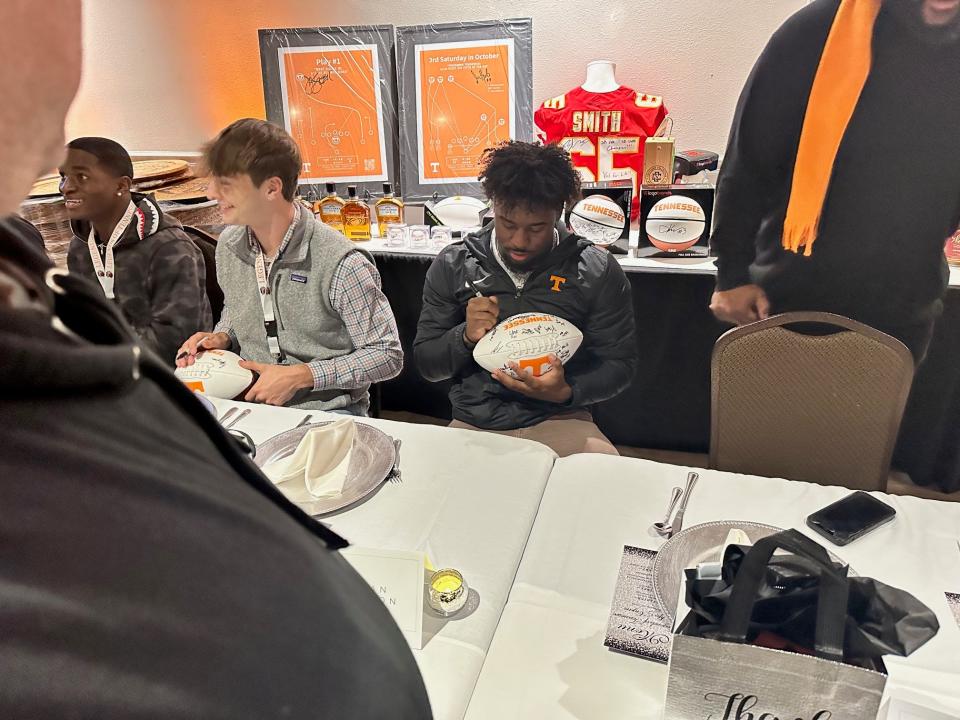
(547, 659)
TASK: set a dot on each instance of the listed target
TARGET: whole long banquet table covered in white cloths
(541, 540)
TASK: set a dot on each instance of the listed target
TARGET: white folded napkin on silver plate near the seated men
(318, 467)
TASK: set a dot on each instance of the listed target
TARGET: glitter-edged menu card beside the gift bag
(637, 626)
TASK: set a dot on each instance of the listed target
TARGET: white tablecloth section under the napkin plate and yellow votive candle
(468, 500)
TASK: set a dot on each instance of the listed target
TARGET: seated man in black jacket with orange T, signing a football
(527, 261)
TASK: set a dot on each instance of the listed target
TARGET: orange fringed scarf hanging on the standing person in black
(840, 78)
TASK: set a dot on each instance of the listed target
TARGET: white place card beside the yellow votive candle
(397, 578)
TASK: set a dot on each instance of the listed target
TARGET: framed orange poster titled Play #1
(333, 90)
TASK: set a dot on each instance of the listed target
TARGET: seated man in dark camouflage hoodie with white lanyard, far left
(140, 256)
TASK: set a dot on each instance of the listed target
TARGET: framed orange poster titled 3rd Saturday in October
(465, 87)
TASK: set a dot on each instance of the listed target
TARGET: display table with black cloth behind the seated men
(667, 406)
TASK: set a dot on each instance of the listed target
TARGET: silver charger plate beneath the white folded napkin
(371, 461)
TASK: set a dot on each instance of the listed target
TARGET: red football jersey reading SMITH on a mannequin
(604, 132)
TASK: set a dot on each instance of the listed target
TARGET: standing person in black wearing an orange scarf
(841, 180)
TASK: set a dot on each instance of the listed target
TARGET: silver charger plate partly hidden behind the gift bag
(697, 544)
